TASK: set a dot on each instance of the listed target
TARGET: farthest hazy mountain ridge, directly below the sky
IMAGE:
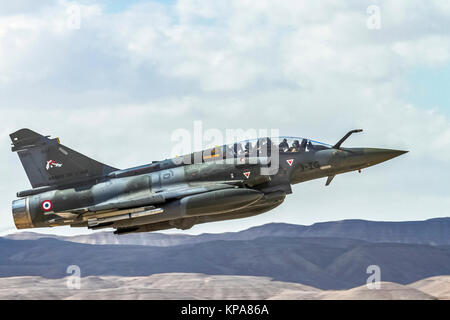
(433, 231)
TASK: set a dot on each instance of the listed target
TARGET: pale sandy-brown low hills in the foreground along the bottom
(200, 286)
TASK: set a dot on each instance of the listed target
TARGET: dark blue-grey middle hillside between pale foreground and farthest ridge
(326, 263)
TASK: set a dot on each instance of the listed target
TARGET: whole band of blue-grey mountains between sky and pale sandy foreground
(406, 252)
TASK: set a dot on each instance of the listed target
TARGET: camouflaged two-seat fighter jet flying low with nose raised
(226, 182)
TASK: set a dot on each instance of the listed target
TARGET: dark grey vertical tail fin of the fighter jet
(49, 163)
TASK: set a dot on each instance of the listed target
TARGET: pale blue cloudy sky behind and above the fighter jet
(115, 79)
